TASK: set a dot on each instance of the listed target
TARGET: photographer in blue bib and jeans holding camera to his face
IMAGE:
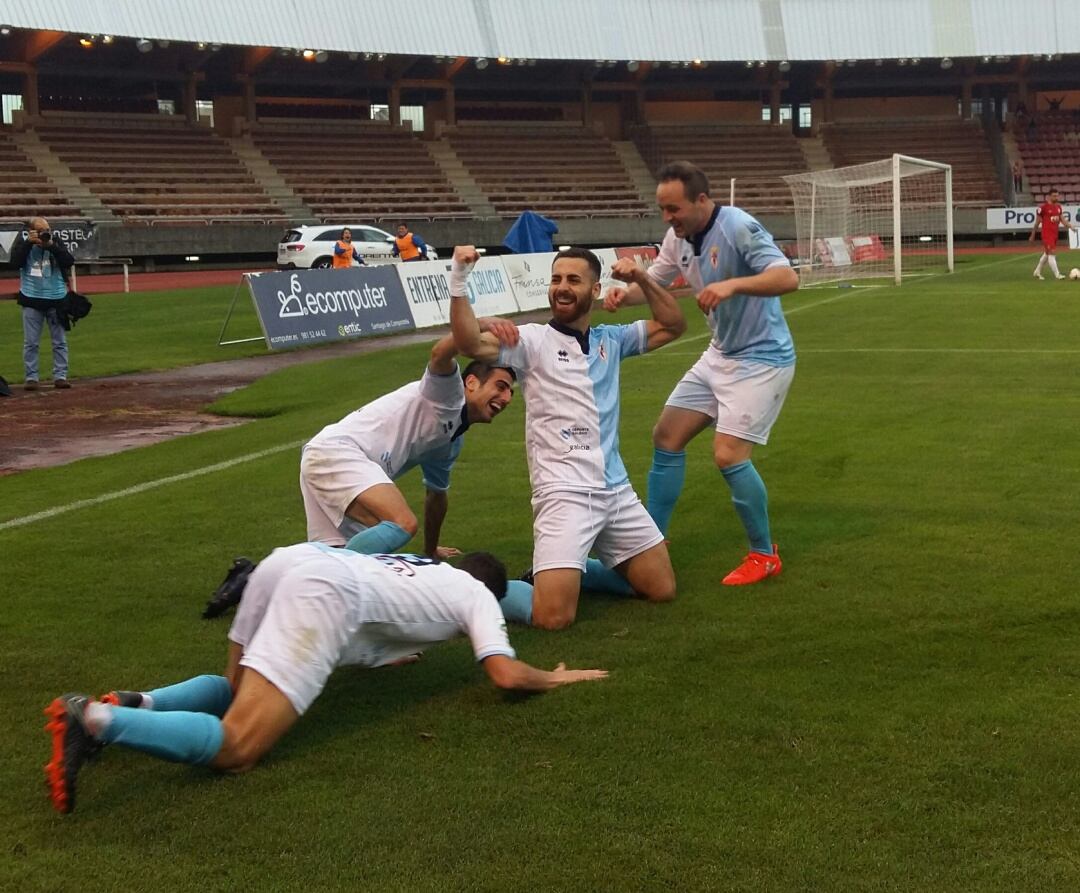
(45, 266)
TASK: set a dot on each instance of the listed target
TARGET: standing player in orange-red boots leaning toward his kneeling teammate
(739, 385)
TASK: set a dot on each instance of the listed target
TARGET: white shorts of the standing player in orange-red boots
(744, 398)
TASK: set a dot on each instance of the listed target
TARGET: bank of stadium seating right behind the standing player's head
(758, 156)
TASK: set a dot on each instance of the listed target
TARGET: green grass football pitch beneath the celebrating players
(898, 711)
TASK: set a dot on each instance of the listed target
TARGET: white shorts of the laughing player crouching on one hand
(331, 479)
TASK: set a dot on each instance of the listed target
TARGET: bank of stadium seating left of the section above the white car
(155, 169)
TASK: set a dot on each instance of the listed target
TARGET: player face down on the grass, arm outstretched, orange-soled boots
(308, 610)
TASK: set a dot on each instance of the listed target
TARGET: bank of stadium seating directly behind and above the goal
(951, 141)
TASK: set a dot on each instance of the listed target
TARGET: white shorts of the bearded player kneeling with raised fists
(568, 524)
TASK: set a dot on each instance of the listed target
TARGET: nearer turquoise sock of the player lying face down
(179, 737)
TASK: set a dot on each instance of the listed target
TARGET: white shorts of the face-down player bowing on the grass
(296, 621)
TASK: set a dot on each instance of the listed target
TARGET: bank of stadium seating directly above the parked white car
(349, 172)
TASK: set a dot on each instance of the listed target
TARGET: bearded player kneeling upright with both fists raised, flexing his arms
(582, 494)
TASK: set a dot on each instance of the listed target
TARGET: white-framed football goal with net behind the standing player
(888, 219)
